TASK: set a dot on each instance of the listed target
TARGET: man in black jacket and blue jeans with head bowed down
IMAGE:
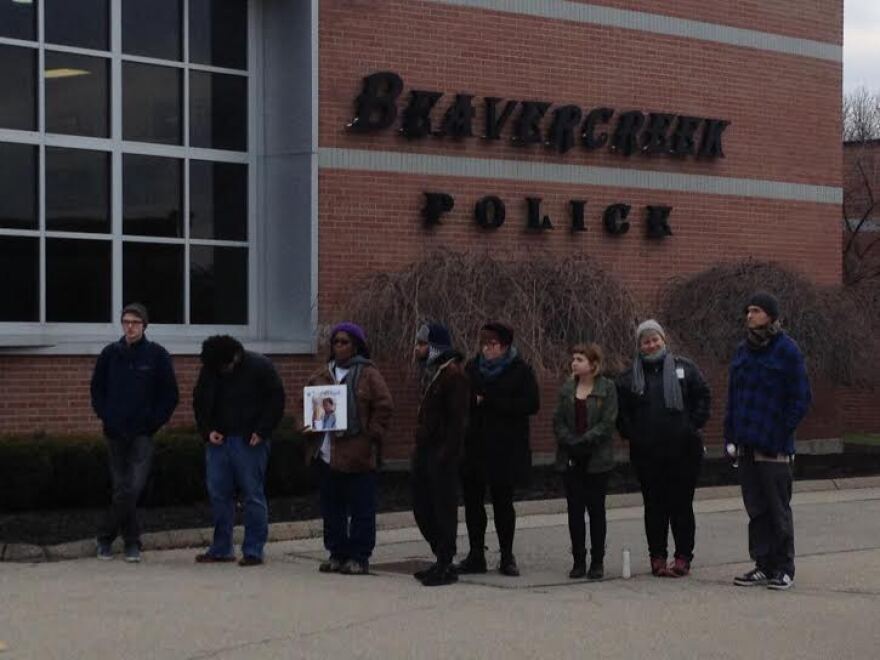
(238, 401)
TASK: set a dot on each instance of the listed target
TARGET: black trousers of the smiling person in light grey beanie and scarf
(668, 485)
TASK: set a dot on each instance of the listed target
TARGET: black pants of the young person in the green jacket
(585, 492)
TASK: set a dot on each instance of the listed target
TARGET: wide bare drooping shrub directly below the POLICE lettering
(550, 304)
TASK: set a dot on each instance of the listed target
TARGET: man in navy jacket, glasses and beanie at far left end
(134, 393)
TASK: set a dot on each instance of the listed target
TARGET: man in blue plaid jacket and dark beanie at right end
(768, 396)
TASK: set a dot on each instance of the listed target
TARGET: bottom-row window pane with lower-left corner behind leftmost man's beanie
(153, 275)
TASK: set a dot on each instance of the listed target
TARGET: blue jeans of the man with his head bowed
(230, 466)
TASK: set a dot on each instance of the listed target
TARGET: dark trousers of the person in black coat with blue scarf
(474, 485)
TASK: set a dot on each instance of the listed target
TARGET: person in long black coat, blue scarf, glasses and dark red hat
(504, 394)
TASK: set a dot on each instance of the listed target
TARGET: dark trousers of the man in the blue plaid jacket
(766, 489)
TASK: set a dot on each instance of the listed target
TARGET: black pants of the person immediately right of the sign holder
(435, 502)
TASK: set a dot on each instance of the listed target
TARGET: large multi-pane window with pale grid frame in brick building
(126, 163)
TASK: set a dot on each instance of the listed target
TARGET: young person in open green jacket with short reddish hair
(583, 424)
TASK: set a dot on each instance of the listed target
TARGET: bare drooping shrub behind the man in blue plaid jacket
(832, 325)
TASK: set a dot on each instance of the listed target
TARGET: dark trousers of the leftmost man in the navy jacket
(129, 460)
